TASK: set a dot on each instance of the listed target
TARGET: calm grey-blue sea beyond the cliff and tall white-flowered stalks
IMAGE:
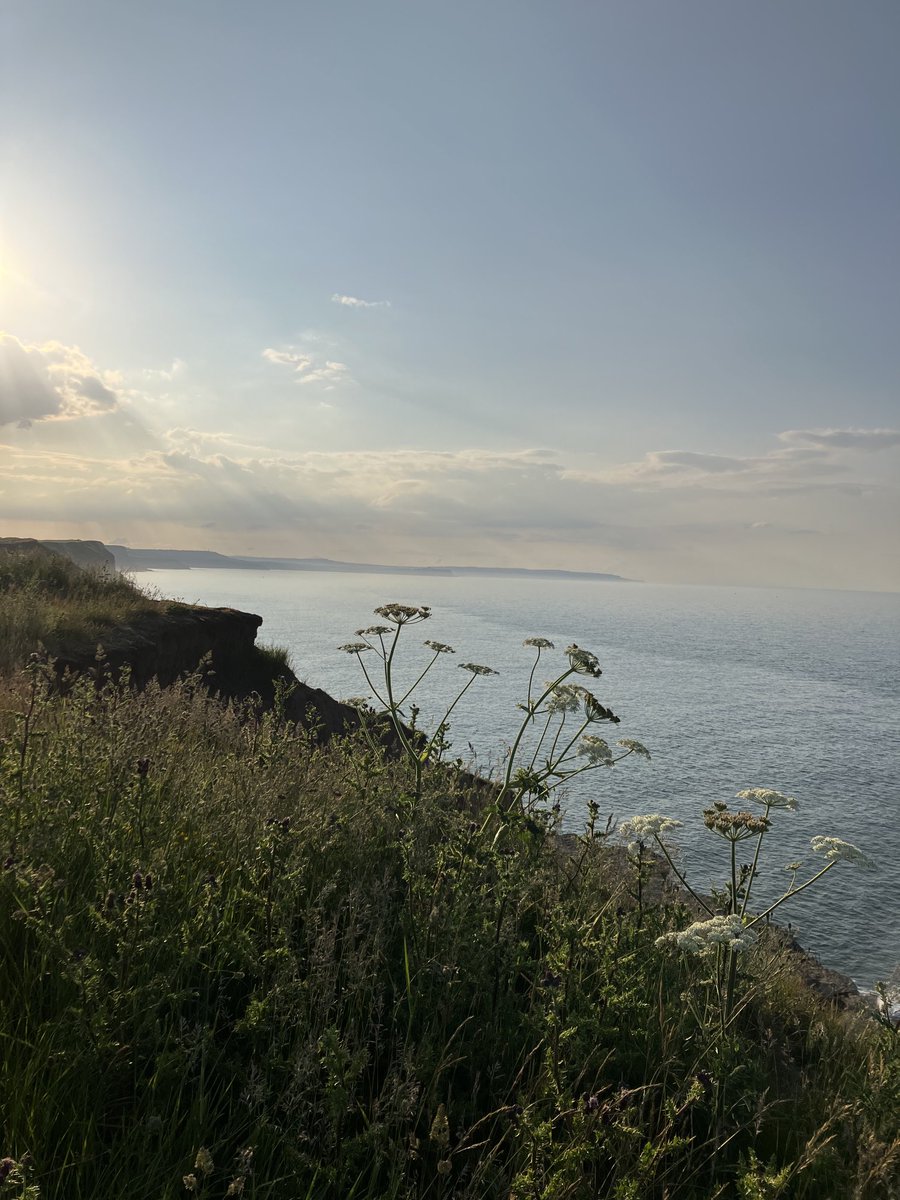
(729, 688)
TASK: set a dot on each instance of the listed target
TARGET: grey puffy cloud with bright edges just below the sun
(51, 382)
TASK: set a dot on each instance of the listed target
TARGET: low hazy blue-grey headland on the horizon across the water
(134, 560)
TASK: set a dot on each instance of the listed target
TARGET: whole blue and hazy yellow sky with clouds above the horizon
(596, 285)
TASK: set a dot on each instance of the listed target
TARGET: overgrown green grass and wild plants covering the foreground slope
(238, 962)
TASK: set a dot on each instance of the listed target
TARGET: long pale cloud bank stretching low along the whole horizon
(796, 514)
